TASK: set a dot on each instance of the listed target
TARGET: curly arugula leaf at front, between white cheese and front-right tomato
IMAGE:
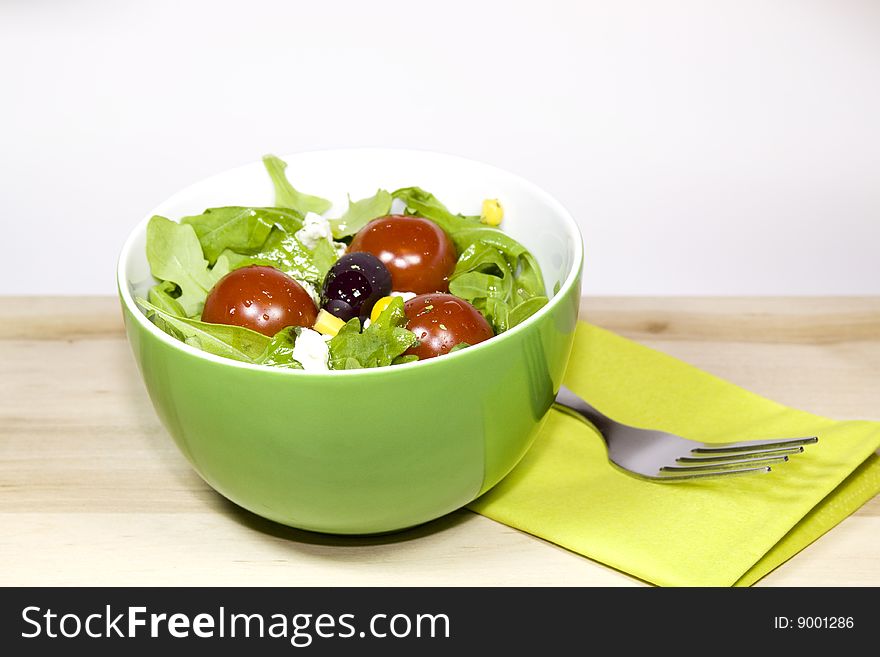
(379, 345)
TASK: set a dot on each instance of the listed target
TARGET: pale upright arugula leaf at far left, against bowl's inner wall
(175, 255)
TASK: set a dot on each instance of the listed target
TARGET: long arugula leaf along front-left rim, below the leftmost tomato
(235, 342)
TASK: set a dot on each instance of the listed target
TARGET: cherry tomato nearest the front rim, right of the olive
(441, 321)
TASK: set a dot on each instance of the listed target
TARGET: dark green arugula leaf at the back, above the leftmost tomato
(240, 229)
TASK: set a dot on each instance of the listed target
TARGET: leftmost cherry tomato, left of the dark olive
(259, 298)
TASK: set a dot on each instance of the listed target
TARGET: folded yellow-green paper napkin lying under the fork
(718, 532)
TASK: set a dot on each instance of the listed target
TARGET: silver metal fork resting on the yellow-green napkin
(662, 456)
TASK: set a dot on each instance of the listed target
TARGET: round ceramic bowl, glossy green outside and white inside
(364, 451)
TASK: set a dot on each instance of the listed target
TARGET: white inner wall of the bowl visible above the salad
(531, 216)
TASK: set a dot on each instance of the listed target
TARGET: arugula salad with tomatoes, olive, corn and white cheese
(397, 278)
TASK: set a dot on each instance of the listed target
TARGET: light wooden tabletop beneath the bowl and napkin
(93, 491)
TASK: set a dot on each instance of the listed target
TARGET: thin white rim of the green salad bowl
(573, 275)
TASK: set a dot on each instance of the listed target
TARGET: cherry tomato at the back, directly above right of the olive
(419, 255)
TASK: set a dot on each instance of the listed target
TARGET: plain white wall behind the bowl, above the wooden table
(705, 147)
